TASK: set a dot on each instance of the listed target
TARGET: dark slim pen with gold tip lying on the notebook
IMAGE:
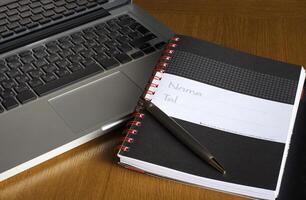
(183, 135)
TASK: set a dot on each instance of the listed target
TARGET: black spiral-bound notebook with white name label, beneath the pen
(241, 107)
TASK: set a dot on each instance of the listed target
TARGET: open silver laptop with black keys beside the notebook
(70, 71)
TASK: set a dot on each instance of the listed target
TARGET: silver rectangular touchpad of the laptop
(89, 106)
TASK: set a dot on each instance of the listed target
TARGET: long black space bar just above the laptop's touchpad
(54, 85)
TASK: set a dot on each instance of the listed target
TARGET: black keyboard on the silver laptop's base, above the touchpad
(32, 73)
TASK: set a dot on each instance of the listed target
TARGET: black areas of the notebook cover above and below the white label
(248, 161)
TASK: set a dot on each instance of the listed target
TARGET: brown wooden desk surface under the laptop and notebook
(274, 28)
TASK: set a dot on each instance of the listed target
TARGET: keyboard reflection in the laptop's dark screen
(26, 16)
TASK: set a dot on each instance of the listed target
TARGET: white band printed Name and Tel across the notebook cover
(222, 109)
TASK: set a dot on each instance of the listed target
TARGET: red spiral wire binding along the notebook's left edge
(150, 89)
